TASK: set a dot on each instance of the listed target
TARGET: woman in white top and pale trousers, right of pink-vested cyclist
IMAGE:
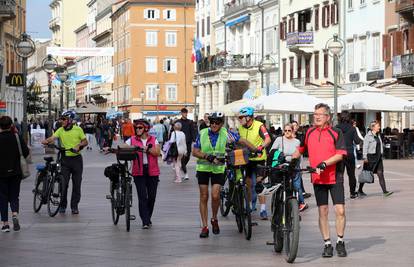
(177, 139)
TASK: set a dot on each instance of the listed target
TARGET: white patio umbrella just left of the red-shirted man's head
(287, 100)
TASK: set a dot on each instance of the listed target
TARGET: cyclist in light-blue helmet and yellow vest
(256, 133)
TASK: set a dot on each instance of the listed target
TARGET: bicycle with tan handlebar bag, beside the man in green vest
(235, 195)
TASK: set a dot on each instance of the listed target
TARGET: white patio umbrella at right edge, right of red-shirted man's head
(369, 98)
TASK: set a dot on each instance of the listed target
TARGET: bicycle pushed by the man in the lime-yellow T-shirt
(48, 183)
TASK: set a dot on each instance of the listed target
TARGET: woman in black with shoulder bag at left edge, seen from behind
(11, 172)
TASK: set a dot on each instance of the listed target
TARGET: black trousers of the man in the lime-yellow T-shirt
(72, 167)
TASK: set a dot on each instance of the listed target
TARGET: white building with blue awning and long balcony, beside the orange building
(231, 69)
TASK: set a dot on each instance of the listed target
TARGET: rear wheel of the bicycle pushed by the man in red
(276, 223)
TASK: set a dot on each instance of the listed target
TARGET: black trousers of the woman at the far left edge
(9, 193)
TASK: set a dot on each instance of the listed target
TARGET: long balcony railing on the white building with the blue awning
(215, 62)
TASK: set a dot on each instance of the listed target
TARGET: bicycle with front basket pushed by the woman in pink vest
(121, 189)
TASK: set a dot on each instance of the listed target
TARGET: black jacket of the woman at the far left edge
(9, 155)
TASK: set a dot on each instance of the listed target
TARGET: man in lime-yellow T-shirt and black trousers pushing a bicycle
(71, 137)
